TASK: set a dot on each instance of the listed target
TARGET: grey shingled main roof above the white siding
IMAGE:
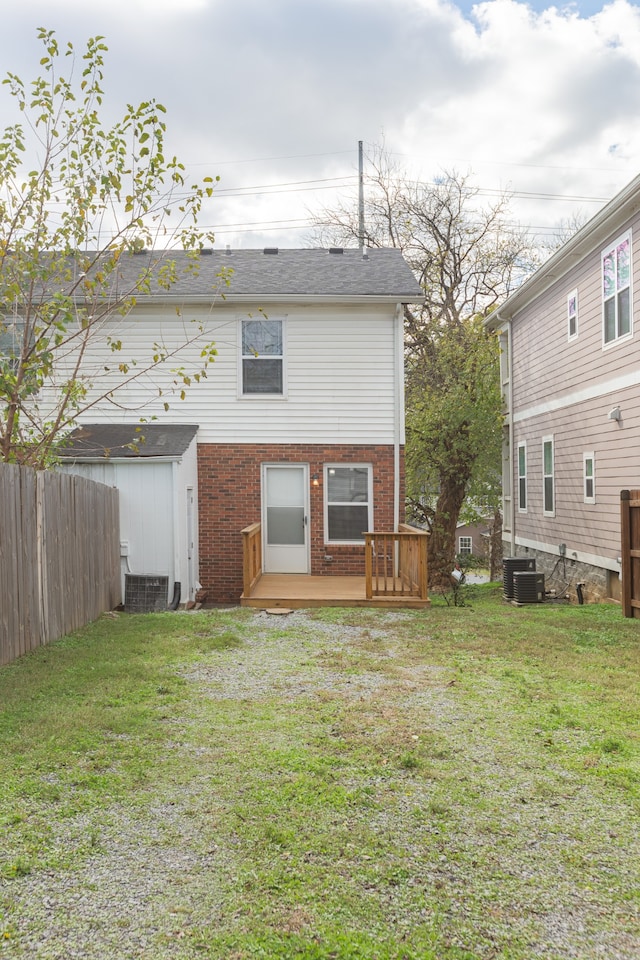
(334, 273)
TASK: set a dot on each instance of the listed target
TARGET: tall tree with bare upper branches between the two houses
(467, 258)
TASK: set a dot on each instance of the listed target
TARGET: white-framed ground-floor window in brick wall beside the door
(348, 502)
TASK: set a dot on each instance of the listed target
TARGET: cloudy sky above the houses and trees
(272, 96)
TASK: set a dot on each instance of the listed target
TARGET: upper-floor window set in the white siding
(262, 357)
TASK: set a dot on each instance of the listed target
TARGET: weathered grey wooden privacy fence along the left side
(59, 556)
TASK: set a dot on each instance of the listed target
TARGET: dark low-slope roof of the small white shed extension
(107, 441)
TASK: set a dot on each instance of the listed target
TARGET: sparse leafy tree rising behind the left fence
(78, 200)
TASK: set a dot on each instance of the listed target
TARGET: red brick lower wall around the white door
(229, 482)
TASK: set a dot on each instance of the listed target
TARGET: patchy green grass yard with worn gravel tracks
(460, 783)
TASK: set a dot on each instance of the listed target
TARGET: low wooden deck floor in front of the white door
(297, 591)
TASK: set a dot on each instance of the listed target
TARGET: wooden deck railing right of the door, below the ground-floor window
(396, 563)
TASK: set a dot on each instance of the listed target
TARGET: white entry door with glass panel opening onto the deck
(285, 518)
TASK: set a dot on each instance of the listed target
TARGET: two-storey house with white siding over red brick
(299, 419)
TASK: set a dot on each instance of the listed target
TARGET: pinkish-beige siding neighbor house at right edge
(570, 357)
